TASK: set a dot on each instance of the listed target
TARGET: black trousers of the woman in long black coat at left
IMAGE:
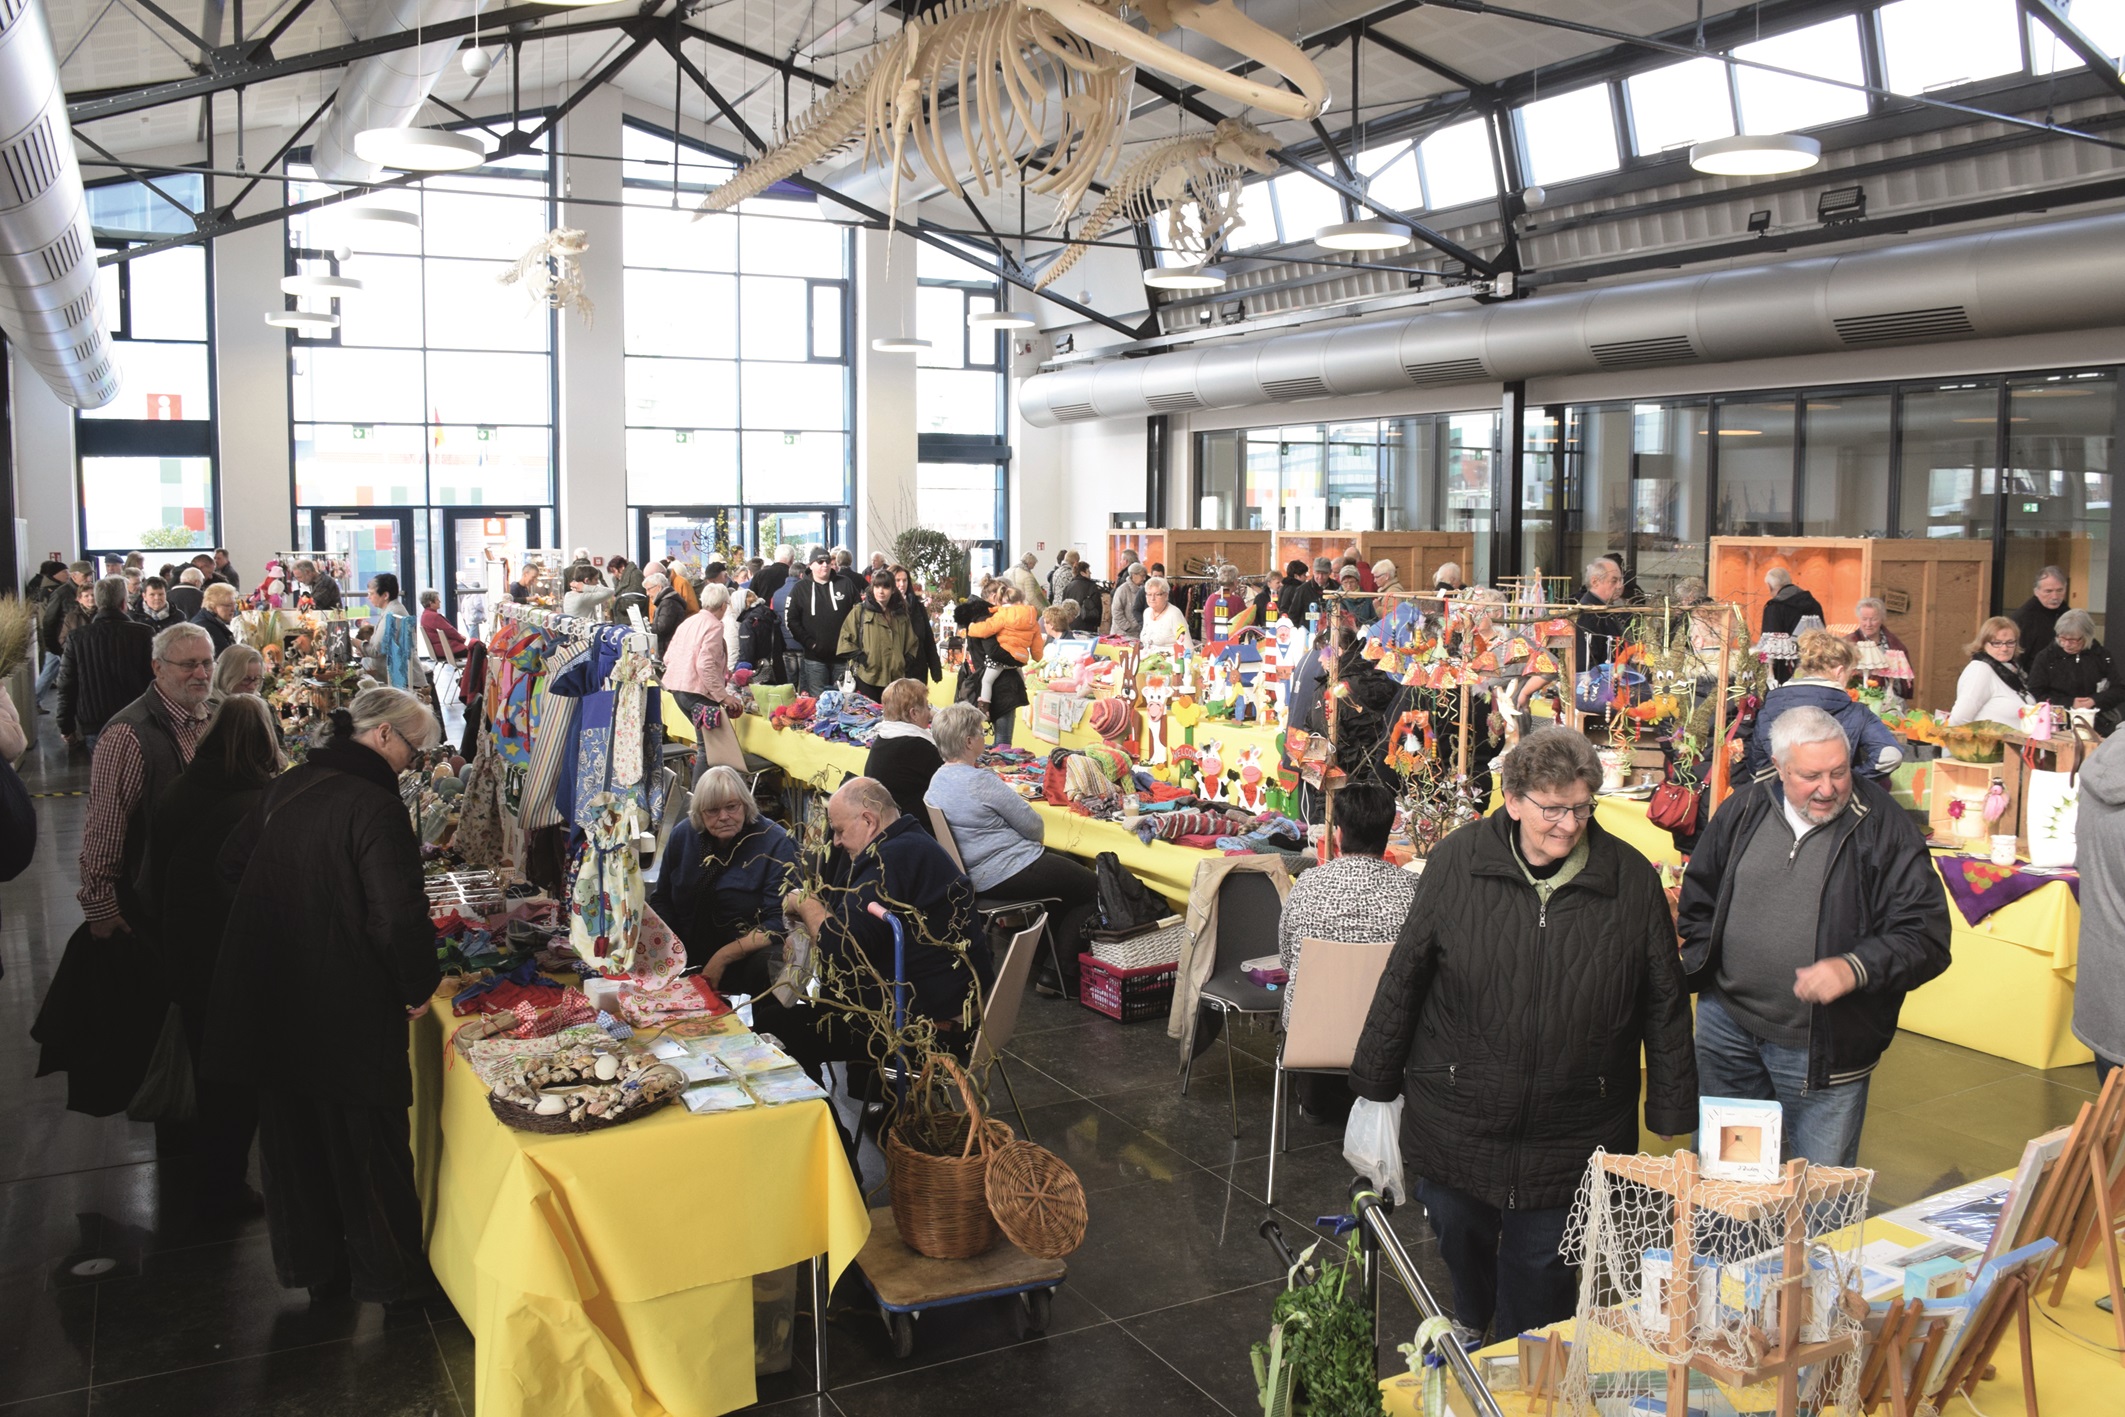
(341, 1197)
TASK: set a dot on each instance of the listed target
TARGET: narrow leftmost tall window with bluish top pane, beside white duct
(148, 458)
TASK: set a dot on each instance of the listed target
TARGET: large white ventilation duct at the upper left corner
(48, 256)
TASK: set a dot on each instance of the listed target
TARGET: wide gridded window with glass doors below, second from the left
(437, 390)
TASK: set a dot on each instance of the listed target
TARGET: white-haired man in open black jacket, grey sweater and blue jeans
(1809, 910)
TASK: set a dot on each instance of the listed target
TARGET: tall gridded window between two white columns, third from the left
(738, 375)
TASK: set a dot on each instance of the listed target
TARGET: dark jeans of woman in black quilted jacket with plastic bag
(1508, 1267)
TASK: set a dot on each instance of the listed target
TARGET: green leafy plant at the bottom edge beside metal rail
(1319, 1359)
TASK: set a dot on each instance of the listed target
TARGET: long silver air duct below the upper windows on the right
(2041, 279)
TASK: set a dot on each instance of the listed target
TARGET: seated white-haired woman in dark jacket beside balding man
(726, 872)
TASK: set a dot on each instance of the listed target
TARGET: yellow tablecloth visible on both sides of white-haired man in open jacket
(2009, 989)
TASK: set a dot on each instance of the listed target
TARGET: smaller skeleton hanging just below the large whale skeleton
(1200, 173)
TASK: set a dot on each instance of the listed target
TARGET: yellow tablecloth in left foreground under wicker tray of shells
(613, 1274)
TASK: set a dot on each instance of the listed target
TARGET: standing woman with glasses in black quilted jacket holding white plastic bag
(1535, 963)
